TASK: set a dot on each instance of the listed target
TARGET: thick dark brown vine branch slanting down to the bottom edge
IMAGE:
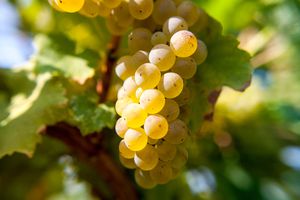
(96, 157)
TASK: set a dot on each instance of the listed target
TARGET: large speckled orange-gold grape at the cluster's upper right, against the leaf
(183, 43)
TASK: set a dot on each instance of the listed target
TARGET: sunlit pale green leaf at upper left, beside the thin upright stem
(58, 56)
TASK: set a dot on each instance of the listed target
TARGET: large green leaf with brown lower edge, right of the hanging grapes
(226, 65)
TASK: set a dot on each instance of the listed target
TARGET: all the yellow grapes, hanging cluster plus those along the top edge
(163, 54)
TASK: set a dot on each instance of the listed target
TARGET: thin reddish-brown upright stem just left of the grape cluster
(107, 68)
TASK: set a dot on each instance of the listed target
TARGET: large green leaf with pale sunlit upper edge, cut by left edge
(28, 115)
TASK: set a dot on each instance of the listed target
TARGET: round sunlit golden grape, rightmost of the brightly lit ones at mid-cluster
(171, 85)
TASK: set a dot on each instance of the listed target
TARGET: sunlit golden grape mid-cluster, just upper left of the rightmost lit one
(147, 76)
